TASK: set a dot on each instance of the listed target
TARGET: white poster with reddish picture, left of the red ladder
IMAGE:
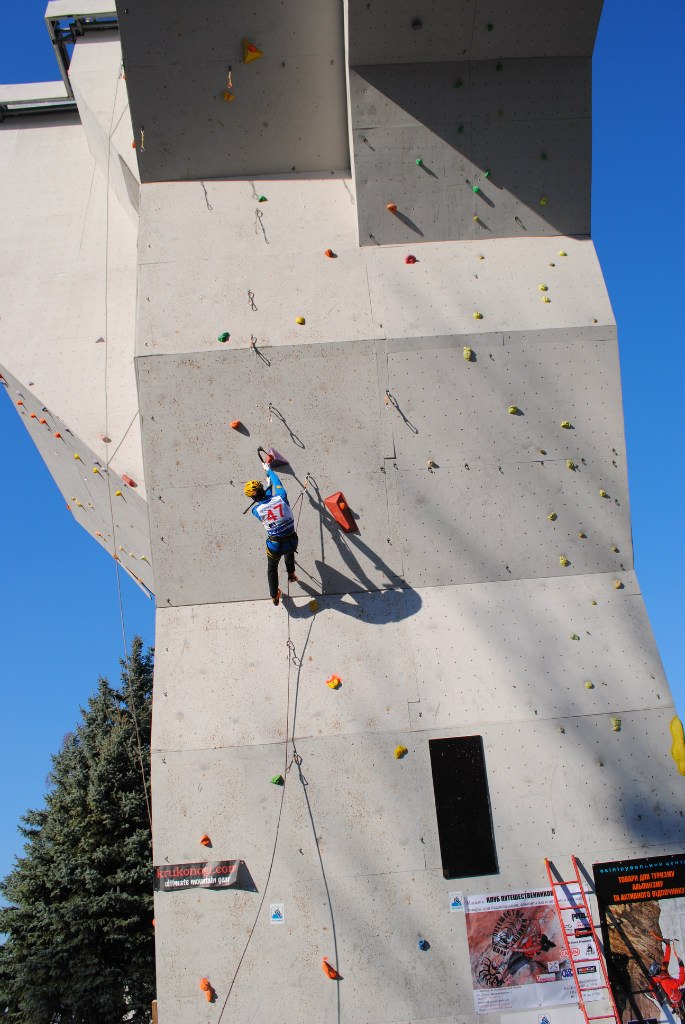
(519, 954)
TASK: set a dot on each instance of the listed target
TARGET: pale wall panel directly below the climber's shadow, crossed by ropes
(362, 639)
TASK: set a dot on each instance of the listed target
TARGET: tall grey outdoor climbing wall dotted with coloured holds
(364, 241)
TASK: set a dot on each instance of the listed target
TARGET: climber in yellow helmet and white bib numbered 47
(273, 510)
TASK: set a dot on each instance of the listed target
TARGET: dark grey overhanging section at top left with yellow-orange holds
(289, 108)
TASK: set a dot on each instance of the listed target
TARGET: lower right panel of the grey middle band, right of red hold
(491, 523)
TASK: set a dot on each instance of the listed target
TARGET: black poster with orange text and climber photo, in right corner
(643, 910)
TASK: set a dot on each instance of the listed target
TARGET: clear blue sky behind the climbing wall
(59, 608)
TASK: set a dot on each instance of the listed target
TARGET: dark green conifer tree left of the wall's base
(79, 937)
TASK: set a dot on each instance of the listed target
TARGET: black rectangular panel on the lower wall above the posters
(463, 807)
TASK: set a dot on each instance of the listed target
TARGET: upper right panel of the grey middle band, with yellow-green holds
(460, 409)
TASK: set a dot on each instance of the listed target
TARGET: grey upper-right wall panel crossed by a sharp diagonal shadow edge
(491, 134)
